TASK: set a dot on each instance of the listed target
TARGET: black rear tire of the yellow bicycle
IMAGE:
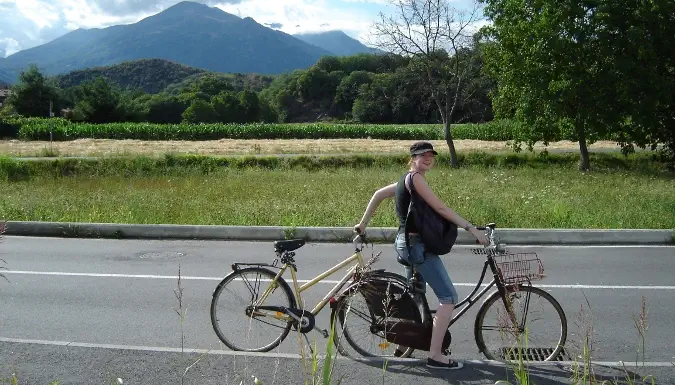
(282, 284)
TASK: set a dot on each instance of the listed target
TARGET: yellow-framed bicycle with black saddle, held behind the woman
(253, 301)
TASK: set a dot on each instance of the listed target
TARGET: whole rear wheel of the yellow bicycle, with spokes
(236, 315)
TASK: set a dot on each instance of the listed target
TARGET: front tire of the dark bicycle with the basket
(494, 297)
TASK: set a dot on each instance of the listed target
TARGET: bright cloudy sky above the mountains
(28, 23)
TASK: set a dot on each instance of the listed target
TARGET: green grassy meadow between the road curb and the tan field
(632, 193)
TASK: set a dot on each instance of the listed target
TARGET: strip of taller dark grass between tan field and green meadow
(12, 169)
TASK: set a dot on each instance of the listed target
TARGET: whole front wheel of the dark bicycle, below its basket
(535, 329)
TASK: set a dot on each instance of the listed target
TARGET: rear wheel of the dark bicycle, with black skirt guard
(359, 317)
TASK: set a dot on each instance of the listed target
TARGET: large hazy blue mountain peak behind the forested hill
(188, 33)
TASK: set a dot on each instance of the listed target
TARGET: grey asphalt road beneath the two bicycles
(75, 309)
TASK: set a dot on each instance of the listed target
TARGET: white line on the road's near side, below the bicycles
(620, 364)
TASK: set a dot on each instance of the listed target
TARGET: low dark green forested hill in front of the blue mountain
(155, 75)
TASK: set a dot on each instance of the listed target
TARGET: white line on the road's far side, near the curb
(196, 278)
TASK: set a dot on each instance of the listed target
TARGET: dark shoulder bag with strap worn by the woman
(438, 234)
